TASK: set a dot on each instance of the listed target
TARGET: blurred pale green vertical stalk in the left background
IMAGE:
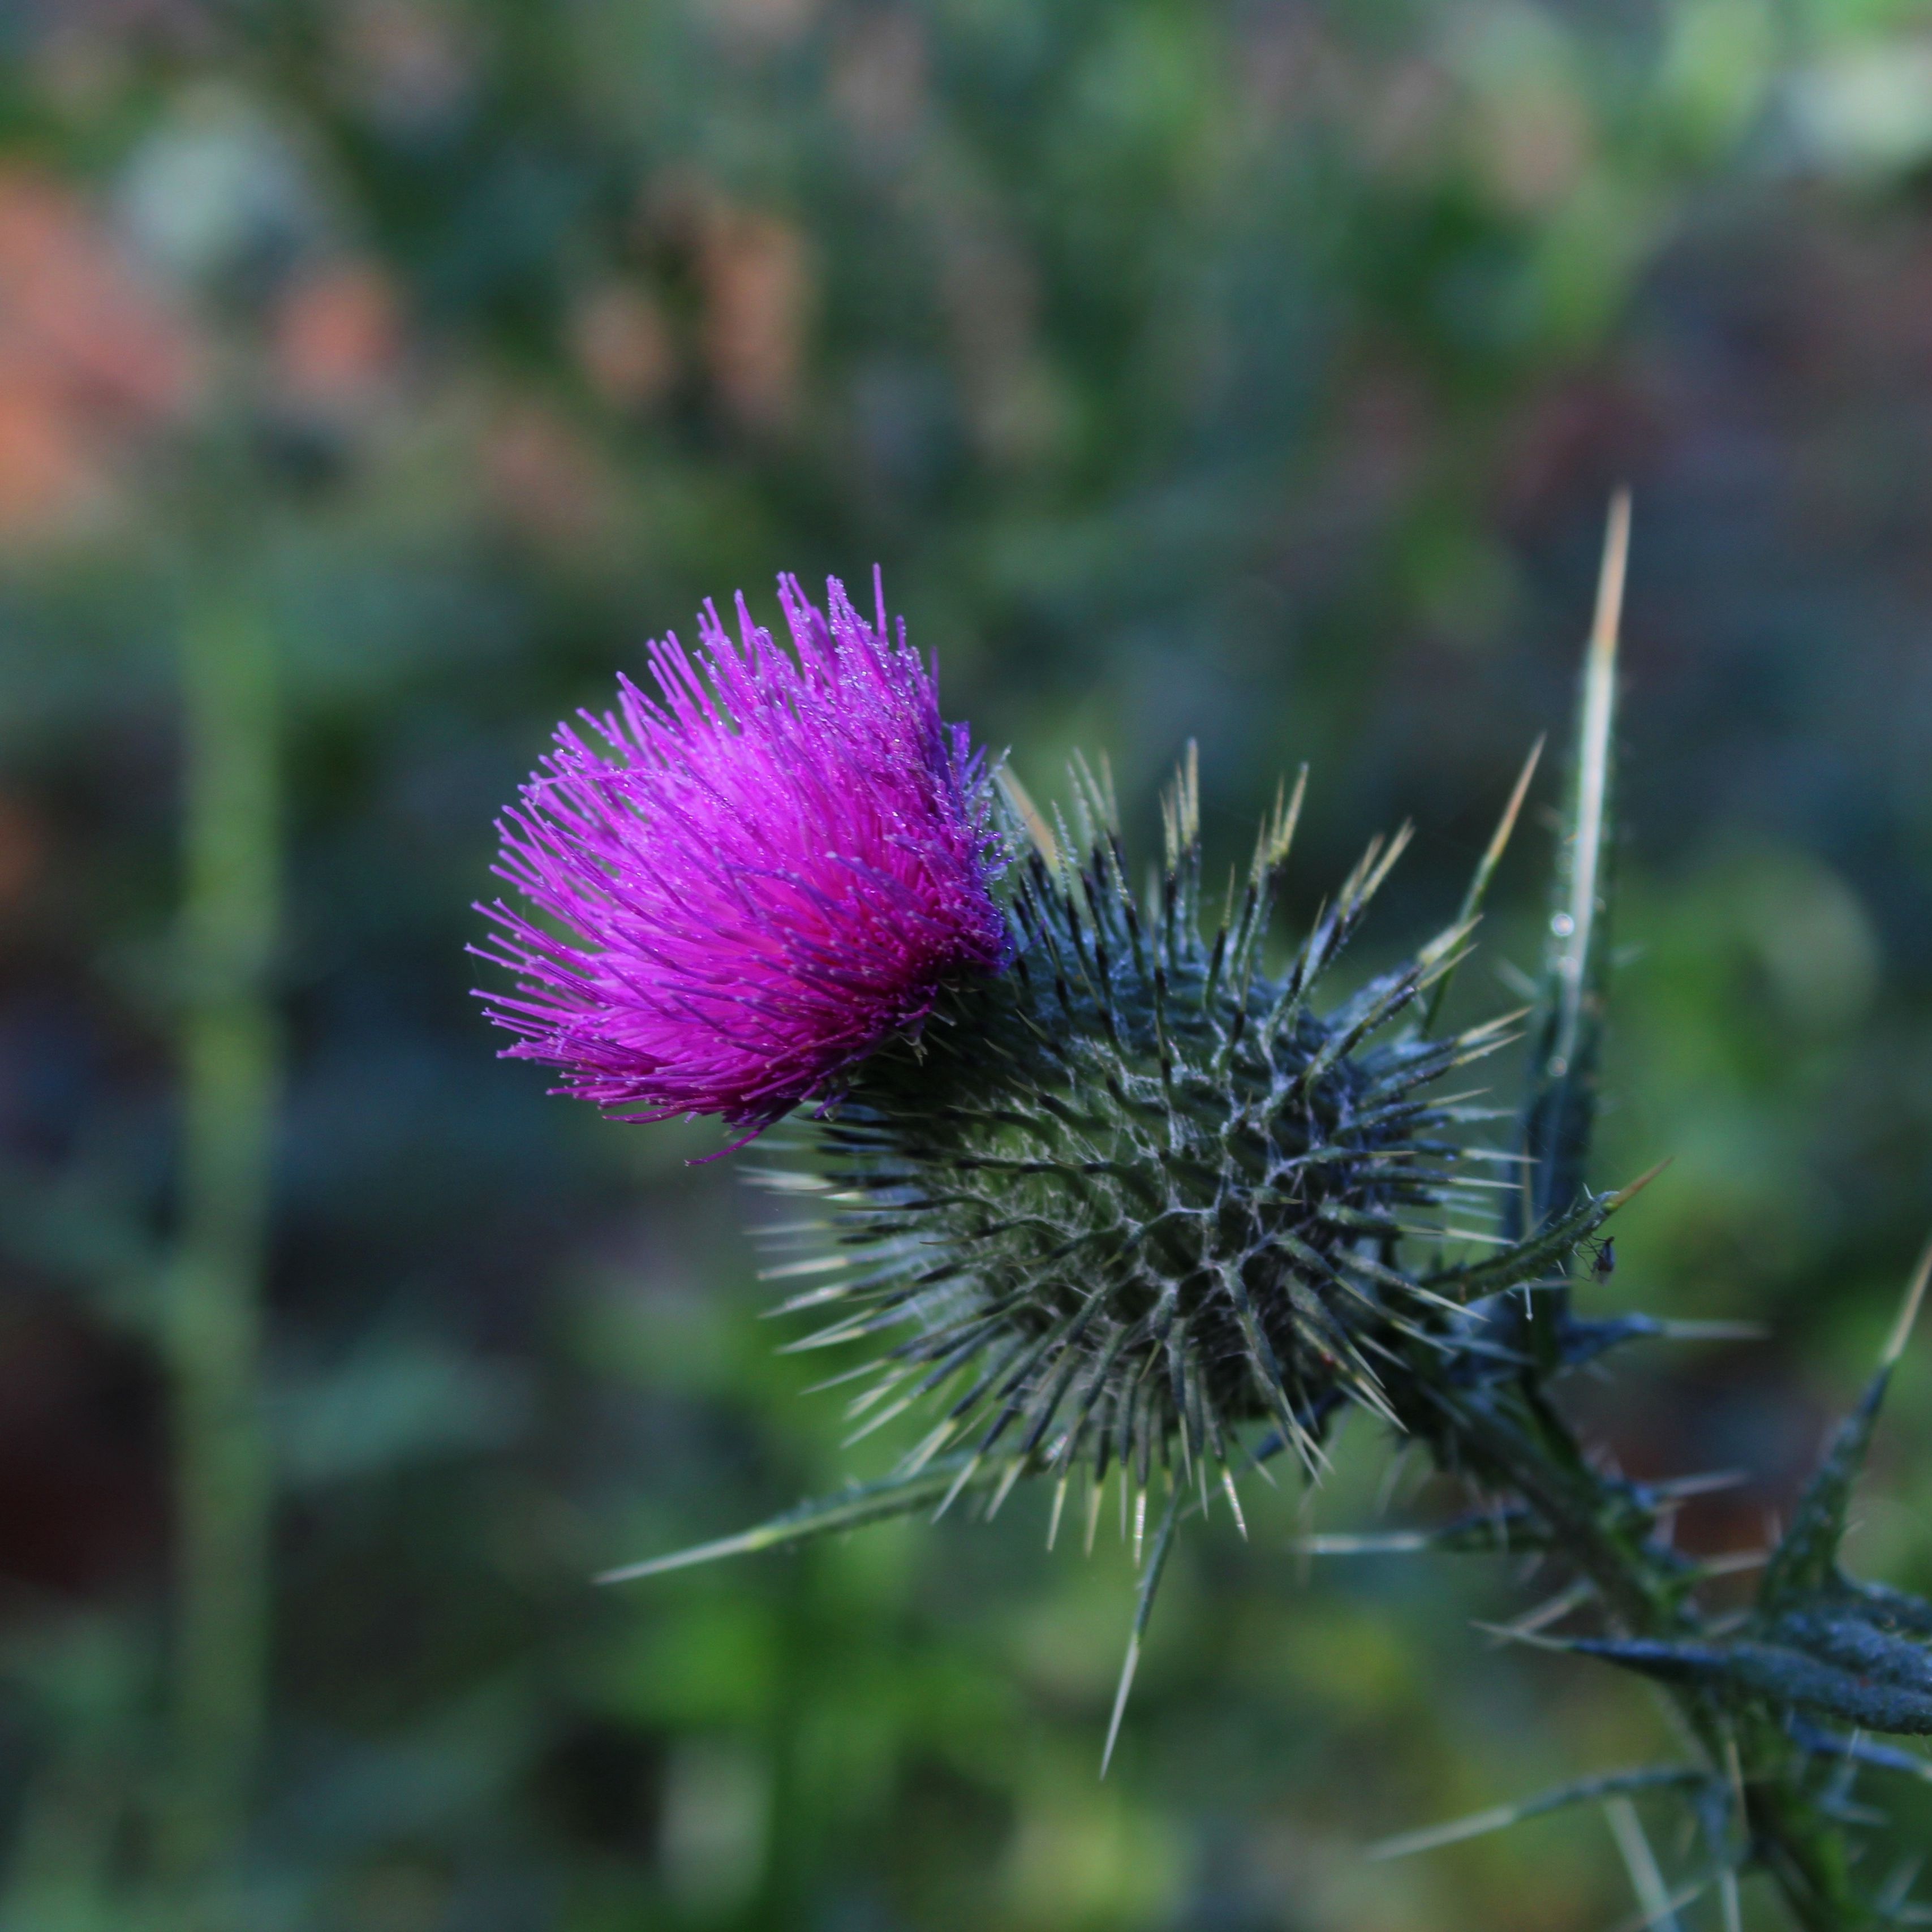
(231, 1058)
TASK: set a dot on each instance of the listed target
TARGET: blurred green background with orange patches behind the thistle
(376, 378)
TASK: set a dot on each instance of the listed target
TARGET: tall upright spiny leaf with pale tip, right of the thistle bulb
(1560, 1106)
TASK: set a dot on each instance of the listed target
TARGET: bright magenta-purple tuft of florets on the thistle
(762, 874)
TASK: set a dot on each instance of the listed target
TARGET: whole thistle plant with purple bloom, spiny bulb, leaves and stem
(1110, 1197)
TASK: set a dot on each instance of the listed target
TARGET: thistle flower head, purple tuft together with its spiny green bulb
(1133, 1201)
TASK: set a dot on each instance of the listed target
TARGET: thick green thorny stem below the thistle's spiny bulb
(1512, 1438)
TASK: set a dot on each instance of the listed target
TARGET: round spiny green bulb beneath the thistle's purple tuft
(1139, 1193)
